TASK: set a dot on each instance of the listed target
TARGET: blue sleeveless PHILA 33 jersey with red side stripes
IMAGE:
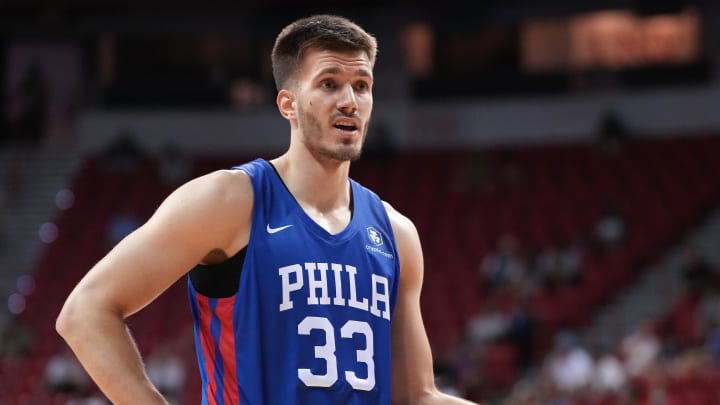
(310, 321)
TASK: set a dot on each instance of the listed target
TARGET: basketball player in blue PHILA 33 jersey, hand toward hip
(305, 286)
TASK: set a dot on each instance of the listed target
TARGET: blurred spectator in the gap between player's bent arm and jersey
(167, 372)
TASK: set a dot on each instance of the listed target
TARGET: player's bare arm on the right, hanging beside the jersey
(412, 365)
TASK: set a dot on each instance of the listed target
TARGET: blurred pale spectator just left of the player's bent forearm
(64, 373)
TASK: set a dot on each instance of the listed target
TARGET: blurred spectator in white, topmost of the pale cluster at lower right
(640, 349)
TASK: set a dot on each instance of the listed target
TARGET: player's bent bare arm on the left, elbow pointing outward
(207, 215)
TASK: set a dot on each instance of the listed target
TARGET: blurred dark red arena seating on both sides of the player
(461, 202)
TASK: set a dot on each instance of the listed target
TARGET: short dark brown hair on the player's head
(321, 31)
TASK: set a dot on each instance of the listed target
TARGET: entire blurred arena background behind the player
(581, 140)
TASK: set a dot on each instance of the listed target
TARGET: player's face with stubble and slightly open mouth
(334, 103)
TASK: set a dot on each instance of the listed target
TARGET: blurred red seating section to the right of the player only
(542, 194)
